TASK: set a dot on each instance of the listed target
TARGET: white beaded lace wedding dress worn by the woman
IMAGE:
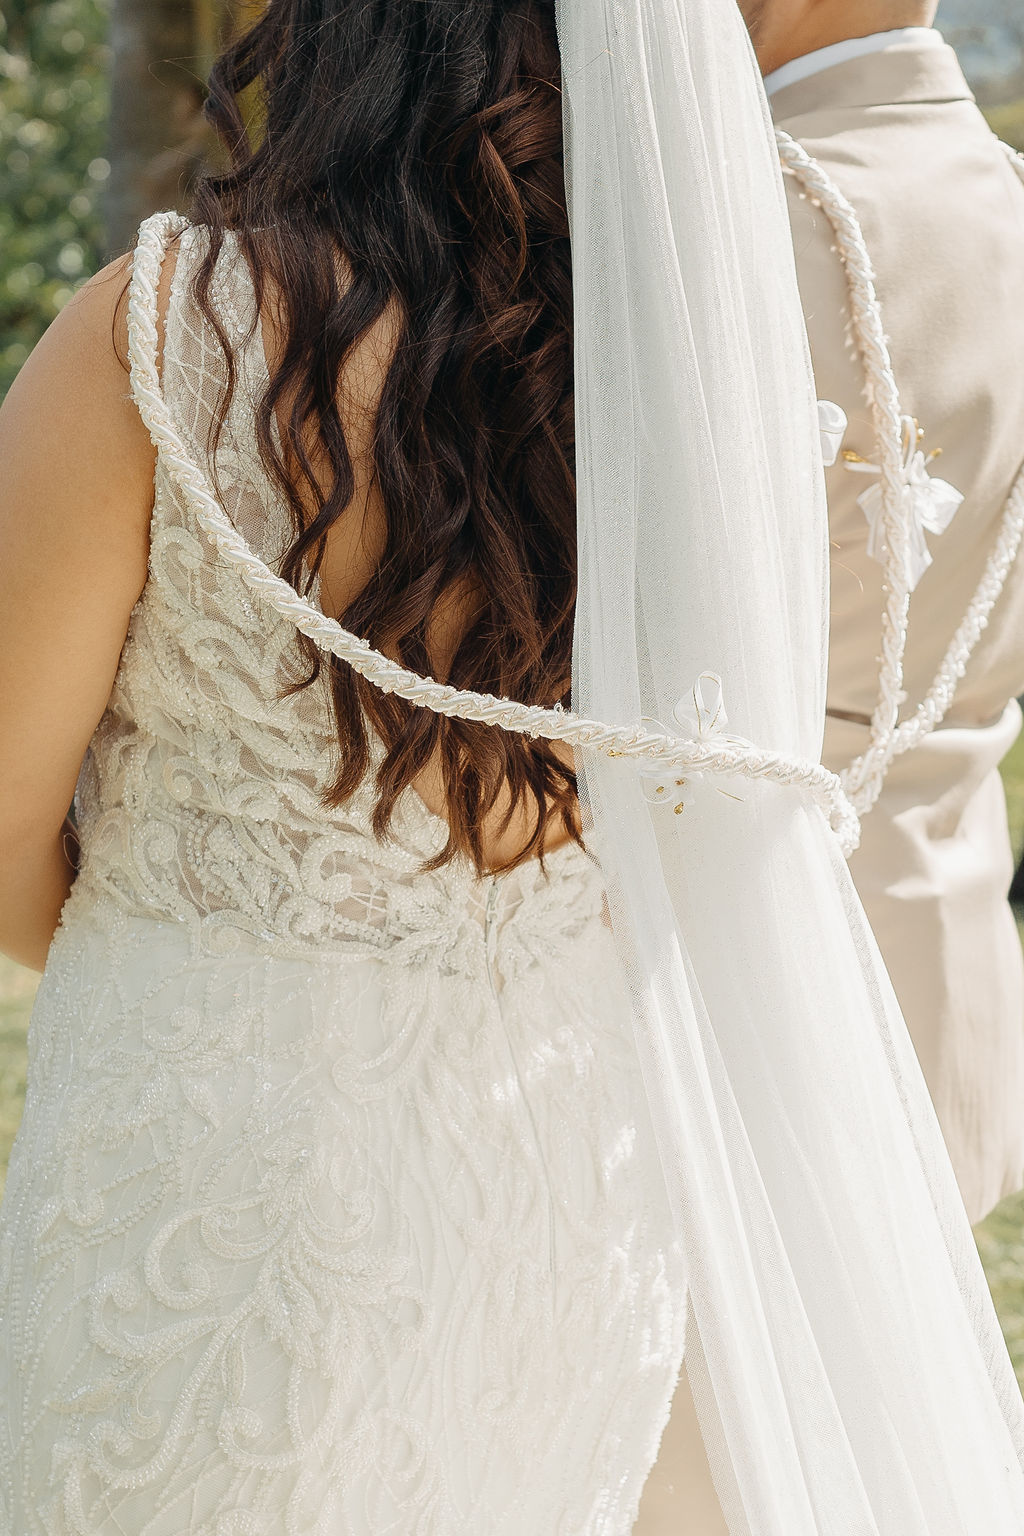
(335, 1208)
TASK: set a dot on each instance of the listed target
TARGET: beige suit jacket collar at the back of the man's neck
(902, 74)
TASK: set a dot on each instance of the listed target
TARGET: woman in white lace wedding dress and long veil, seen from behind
(423, 1067)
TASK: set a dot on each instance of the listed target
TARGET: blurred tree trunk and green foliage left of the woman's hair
(101, 124)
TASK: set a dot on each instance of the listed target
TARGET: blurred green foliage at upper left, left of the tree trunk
(53, 136)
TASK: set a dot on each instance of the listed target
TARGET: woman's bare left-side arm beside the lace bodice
(76, 497)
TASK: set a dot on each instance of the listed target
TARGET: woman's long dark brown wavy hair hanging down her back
(408, 159)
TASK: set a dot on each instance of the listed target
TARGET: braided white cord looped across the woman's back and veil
(670, 753)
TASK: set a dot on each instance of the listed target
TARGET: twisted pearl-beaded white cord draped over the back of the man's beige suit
(891, 738)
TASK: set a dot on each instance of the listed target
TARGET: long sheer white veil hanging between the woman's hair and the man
(845, 1354)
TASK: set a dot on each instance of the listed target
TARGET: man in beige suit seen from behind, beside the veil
(874, 94)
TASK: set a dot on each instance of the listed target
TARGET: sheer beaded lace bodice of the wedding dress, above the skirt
(202, 795)
